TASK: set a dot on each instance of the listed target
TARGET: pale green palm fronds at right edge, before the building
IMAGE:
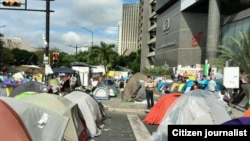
(239, 53)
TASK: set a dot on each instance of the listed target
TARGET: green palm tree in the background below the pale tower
(104, 53)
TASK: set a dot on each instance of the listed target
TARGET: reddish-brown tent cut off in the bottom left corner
(12, 127)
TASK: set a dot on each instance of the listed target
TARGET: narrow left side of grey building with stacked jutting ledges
(147, 33)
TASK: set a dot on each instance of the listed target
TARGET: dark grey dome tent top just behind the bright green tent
(29, 86)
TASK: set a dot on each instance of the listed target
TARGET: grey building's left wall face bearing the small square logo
(168, 40)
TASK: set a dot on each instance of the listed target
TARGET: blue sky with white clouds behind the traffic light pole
(72, 23)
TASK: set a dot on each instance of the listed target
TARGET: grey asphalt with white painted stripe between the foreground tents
(118, 128)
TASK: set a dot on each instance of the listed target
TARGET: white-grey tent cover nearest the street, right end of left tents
(90, 111)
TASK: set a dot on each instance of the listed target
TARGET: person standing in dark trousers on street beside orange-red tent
(150, 85)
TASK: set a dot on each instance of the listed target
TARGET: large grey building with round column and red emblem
(189, 31)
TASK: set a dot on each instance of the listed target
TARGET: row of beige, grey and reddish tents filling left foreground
(42, 116)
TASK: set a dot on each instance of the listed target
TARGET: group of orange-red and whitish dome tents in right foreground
(196, 107)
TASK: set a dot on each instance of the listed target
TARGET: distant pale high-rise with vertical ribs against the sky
(129, 28)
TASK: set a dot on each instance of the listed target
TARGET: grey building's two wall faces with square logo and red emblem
(177, 46)
